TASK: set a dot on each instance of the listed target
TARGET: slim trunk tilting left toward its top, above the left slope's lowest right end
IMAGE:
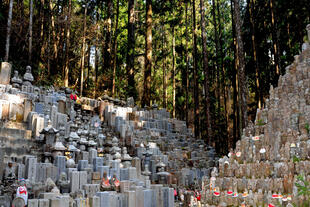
(206, 71)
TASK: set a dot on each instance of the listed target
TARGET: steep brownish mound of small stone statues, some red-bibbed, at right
(273, 151)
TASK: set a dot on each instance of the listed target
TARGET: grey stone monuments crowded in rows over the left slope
(63, 149)
